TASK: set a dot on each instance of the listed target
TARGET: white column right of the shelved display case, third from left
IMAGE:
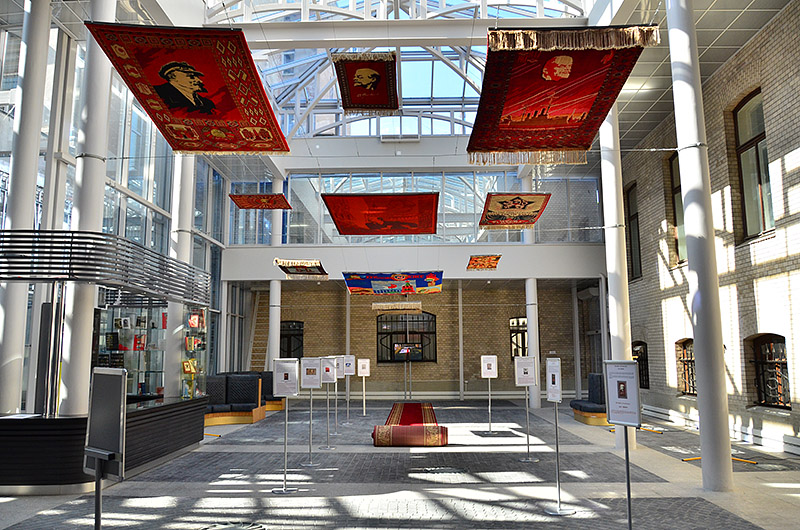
(180, 248)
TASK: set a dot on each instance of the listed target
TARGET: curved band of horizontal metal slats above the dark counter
(104, 259)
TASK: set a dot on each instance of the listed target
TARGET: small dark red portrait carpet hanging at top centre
(367, 82)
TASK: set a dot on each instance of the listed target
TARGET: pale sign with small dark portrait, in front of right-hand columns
(623, 406)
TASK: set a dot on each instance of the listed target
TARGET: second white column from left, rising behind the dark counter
(87, 214)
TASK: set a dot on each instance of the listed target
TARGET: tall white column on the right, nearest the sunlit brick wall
(712, 399)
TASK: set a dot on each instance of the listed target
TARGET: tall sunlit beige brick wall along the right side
(758, 278)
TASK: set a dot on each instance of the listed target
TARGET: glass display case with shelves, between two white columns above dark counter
(134, 339)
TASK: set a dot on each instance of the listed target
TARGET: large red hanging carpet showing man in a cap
(198, 85)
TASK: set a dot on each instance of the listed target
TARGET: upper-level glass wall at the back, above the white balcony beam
(572, 215)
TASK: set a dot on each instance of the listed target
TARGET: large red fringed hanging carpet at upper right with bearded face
(546, 92)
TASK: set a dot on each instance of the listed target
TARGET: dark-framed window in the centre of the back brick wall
(417, 331)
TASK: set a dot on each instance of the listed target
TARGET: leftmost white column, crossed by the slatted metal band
(22, 194)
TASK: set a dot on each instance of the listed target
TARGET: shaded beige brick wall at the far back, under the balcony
(487, 309)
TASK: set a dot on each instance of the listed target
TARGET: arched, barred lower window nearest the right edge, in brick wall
(772, 371)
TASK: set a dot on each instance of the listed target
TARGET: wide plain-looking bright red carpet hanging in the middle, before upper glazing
(383, 214)
